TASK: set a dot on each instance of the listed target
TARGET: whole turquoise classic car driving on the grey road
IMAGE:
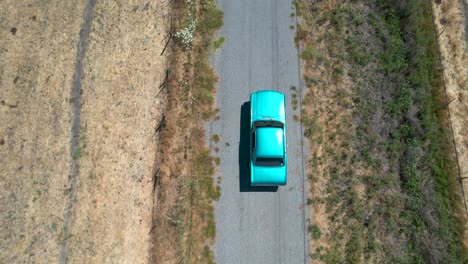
(268, 162)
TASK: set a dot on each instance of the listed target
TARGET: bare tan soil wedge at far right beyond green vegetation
(450, 24)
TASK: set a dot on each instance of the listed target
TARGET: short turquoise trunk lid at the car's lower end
(262, 175)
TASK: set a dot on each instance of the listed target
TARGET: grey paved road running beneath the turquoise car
(262, 224)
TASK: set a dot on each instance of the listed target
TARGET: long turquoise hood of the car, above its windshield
(268, 105)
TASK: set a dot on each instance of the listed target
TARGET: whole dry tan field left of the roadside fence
(110, 198)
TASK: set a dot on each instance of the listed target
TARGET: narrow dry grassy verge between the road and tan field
(189, 191)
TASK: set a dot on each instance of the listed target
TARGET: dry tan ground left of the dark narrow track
(34, 126)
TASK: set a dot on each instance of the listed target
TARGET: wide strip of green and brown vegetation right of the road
(382, 172)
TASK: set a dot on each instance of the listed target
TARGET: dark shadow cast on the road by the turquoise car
(244, 154)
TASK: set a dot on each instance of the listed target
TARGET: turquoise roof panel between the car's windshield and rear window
(269, 142)
